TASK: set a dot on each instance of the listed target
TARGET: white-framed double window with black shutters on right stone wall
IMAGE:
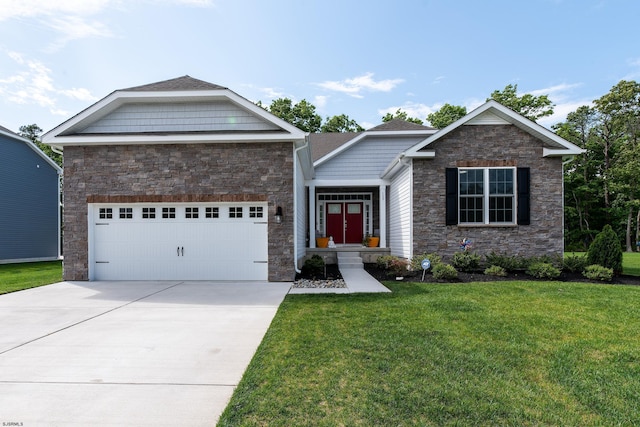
(488, 196)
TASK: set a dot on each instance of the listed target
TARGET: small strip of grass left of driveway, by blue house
(15, 277)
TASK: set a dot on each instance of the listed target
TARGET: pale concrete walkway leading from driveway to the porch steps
(354, 275)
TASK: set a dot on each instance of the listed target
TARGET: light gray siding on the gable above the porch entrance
(366, 159)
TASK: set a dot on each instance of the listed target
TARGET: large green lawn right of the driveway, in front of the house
(503, 353)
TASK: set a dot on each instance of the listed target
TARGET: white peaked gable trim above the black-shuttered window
(492, 111)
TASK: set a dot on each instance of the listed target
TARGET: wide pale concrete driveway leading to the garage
(128, 353)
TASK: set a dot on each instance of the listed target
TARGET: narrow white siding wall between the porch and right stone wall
(400, 214)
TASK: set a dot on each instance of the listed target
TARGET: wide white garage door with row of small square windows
(203, 241)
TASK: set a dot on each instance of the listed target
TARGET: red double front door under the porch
(344, 222)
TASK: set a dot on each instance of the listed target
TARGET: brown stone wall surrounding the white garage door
(189, 172)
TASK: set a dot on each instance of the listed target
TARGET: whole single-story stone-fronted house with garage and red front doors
(187, 180)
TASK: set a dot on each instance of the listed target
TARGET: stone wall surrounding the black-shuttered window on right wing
(471, 145)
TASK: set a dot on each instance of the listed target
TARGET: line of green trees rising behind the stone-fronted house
(601, 185)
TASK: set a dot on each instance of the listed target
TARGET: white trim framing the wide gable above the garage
(116, 99)
